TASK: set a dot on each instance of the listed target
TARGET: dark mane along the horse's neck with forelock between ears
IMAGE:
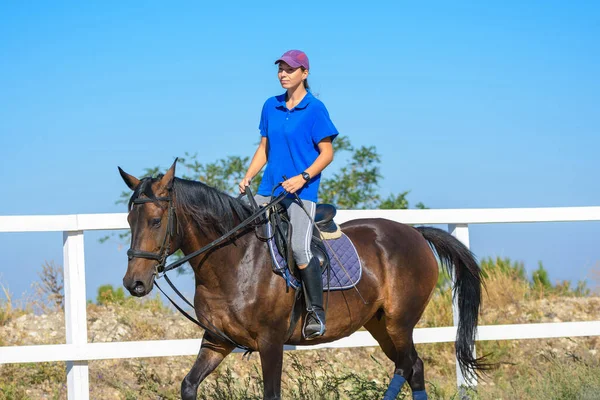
(212, 210)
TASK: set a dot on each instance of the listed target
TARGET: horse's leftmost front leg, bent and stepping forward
(212, 352)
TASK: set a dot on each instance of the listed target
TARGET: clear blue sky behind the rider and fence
(470, 105)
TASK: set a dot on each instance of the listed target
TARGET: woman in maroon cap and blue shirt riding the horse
(296, 142)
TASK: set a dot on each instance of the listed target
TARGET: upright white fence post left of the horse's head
(78, 385)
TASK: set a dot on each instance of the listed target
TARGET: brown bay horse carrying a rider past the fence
(237, 290)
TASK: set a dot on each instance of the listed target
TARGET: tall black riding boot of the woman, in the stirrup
(314, 326)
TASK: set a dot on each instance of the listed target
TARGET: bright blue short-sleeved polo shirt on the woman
(293, 137)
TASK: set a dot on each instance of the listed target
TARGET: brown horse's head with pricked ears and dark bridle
(152, 222)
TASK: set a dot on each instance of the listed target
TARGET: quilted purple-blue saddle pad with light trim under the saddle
(346, 268)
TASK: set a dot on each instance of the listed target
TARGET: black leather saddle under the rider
(282, 234)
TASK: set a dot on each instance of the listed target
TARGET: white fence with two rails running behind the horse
(77, 351)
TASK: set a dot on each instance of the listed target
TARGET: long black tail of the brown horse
(467, 286)
